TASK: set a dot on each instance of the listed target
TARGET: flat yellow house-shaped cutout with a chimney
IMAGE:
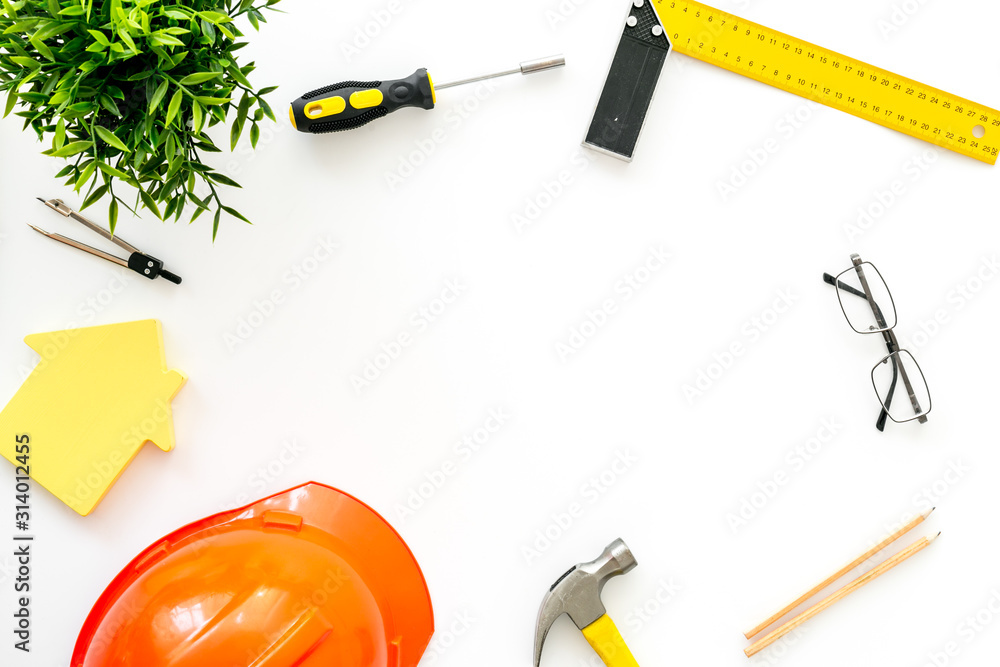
(95, 398)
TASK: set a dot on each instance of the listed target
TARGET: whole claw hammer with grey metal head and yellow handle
(578, 593)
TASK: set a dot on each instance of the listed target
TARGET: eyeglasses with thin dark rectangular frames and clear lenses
(869, 308)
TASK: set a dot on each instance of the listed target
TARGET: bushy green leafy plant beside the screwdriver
(127, 88)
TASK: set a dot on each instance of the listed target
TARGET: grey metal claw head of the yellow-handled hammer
(578, 592)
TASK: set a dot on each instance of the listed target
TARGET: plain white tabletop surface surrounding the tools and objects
(524, 291)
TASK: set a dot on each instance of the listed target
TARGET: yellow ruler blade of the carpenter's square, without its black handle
(832, 79)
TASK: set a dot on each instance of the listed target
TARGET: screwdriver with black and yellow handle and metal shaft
(352, 104)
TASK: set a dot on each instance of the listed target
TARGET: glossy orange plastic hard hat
(304, 578)
